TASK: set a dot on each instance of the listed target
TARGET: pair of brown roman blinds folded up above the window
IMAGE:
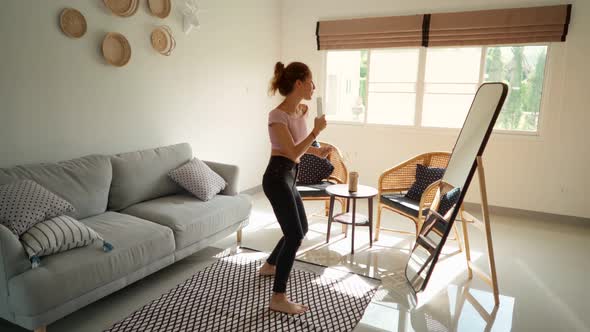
(484, 27)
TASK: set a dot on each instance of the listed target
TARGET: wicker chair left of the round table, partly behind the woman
(338, 176)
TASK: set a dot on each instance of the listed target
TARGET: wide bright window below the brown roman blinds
(433, 87)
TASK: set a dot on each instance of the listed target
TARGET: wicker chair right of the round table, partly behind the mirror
(394, 182)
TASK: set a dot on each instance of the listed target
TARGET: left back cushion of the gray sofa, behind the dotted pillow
(84, 182)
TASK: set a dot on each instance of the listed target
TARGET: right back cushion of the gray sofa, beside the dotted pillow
(143, 175)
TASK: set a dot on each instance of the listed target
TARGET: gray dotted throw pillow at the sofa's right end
(198, 179)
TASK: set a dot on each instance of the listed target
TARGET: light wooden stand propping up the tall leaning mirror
(485, 227)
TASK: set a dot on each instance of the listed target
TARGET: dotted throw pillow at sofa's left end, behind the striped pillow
(25, 203)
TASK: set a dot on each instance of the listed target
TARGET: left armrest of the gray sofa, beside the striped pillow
(13, 261)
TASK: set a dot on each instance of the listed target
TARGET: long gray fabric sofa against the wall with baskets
(129, 200)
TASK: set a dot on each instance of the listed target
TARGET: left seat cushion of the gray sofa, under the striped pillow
(70, 274)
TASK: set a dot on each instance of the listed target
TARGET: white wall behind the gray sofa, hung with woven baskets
(60, 100)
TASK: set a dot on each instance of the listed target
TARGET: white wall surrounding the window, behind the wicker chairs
(544, 173)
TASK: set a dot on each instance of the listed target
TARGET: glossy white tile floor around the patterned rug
(542, 270)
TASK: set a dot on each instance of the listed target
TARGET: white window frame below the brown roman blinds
(420, 88)
